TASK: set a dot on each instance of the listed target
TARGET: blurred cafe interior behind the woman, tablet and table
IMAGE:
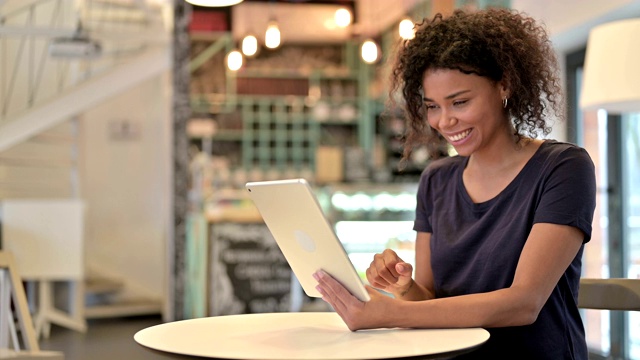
(128, 129)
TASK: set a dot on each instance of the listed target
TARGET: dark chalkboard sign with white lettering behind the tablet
(248, 272)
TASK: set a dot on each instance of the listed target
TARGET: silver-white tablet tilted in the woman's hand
(292, 213)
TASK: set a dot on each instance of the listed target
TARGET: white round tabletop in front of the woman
(301, 336)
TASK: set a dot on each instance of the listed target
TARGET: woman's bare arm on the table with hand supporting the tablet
(547, 253)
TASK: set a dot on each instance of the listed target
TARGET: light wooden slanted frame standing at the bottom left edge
(12, 292)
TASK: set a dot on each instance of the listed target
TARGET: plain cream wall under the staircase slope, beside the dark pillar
(127, 185)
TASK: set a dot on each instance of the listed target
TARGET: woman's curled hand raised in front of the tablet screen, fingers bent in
(390, 273)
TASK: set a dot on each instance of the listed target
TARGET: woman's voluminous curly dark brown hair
(497, 43)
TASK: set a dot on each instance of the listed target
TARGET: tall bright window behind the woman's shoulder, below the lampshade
(614, 251)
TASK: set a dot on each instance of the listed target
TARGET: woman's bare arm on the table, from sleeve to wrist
(547, 253)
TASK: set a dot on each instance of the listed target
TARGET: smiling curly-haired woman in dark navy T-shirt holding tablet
(500, 227)
